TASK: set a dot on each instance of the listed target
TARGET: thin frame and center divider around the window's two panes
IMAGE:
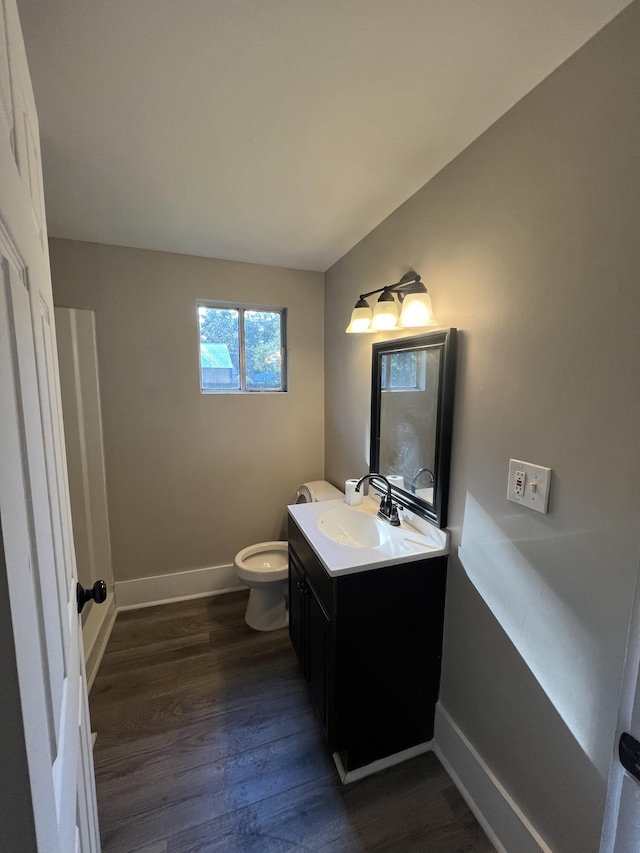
(241, 308)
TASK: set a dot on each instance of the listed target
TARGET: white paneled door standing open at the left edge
(50, 806)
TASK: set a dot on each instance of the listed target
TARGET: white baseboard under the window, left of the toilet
(177, 586)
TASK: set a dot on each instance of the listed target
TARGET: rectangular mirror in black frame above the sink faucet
(412, 393)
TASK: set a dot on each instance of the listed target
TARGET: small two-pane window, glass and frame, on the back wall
(242, 348)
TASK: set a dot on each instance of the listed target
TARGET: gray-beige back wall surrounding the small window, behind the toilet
(192, 478)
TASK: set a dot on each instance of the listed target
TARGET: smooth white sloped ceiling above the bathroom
(272, 131)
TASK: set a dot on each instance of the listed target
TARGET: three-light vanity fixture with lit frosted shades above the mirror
(413, 297)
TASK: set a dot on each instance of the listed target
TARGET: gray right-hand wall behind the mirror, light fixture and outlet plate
(528, 243)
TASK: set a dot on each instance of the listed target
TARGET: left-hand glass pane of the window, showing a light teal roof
(219, 349)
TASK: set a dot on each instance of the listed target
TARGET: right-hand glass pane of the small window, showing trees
(262, 345)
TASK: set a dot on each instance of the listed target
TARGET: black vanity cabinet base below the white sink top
(369, 644)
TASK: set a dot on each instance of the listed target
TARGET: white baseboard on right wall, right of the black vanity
(504, 822)
